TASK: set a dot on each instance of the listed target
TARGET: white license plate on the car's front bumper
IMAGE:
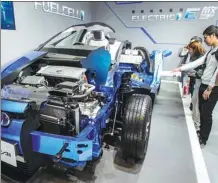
(8, 153)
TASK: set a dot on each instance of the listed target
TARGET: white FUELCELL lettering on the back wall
(55, 8)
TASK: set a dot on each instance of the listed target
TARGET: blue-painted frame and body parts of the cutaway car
(91, 129)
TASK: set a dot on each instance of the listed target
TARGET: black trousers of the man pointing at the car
(206, 109)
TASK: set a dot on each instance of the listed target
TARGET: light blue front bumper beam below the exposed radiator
(55, 142)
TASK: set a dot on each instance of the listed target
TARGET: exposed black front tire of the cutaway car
(136, 128)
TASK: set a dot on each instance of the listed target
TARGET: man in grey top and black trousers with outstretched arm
(208, 91)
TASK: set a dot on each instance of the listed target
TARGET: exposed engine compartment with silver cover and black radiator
(62, 94)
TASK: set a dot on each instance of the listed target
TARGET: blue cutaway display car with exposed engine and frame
(77, 90)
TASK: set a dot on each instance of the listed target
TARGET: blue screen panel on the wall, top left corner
(7, 15)
